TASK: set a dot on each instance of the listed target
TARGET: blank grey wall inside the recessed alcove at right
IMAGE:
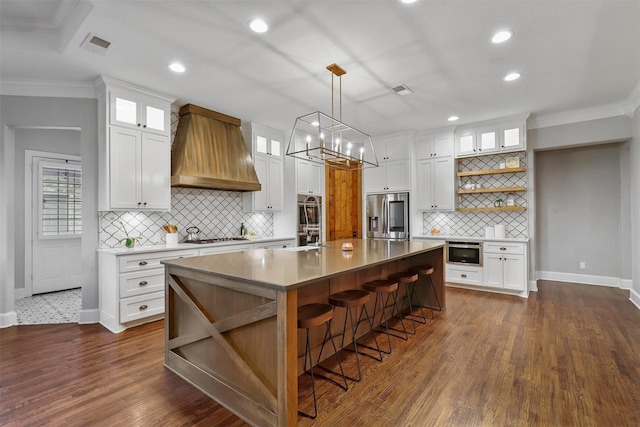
(578, 203)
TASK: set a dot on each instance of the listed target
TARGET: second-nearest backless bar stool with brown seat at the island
(354, 299)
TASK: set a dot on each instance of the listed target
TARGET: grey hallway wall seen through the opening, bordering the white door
(61, 141)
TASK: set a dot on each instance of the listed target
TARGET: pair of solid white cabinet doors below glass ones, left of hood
(139, 166)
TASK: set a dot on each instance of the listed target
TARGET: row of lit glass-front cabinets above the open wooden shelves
(490, 138)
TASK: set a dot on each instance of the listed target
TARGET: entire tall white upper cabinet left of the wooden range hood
(134, 148)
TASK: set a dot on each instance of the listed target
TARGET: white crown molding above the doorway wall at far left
(49, 89)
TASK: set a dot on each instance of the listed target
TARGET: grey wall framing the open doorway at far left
(27, 112)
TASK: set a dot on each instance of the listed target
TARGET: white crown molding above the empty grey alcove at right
(623, 108)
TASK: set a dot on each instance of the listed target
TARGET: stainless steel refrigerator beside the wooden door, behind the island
(388, 216)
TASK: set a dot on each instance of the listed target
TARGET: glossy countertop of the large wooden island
(298, 266)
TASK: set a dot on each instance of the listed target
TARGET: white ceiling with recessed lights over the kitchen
(572, 55)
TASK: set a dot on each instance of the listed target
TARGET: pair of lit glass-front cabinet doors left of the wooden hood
(135, 110)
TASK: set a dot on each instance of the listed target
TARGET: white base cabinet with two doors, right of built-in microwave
(505, 265)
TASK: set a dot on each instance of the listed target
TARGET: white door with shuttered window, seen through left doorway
(57, 225)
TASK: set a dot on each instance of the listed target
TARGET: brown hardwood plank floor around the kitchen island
(567, 356)
